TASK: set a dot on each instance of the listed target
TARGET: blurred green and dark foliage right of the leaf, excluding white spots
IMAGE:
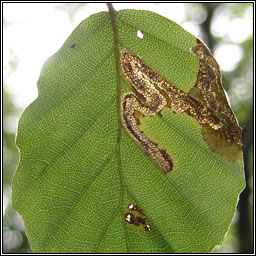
(239, 85)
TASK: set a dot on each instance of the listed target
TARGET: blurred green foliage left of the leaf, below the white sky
(14, 238)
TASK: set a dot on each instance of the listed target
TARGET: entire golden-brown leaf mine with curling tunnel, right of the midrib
(206, 102)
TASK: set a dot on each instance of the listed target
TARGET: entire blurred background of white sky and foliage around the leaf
(225, 27)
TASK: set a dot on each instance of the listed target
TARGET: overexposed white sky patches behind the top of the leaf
(35, 31)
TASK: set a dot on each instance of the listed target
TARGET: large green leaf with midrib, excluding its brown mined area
(79, 169)
